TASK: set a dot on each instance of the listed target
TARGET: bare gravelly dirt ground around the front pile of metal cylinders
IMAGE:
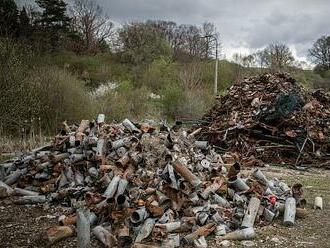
(24, 226)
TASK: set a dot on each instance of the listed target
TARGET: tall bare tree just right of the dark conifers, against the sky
(91, 23)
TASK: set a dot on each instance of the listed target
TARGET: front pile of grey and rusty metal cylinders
(132, 185)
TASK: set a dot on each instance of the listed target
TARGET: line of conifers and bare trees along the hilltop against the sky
(83, 28)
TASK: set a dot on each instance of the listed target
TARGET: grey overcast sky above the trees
(244, 25)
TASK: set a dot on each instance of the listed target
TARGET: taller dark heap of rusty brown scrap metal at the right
(271, 119)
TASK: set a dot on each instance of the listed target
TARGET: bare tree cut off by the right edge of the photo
(320, 53)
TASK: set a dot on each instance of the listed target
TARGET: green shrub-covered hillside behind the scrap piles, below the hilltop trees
(41, 91)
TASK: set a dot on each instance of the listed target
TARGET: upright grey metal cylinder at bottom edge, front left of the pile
(83, 228)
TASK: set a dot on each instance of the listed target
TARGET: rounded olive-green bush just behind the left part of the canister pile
(60, 96)
